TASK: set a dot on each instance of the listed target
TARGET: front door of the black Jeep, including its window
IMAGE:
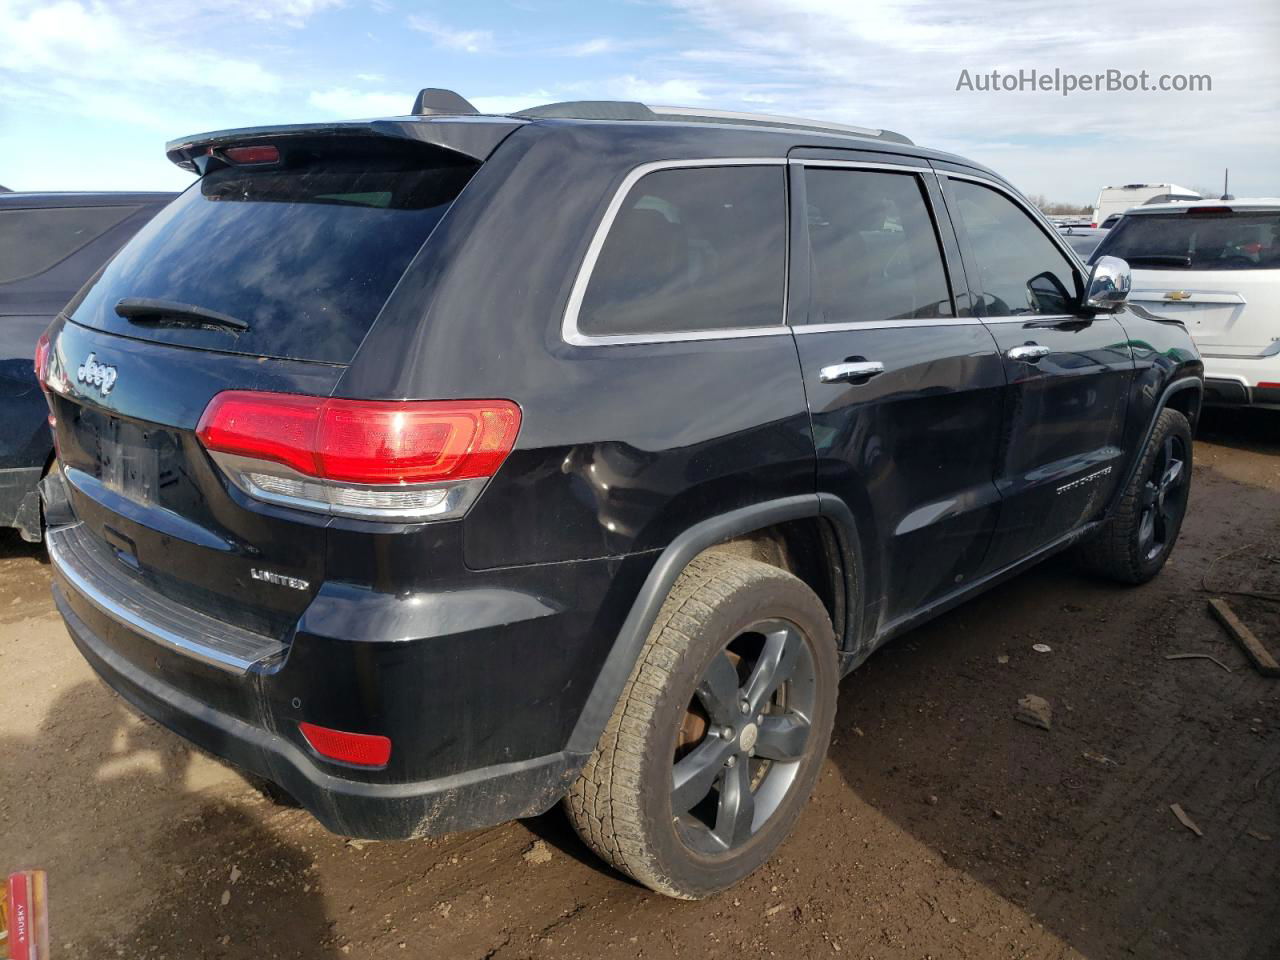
(1068, 371)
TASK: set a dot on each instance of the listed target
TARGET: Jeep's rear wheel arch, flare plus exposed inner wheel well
(772, 528)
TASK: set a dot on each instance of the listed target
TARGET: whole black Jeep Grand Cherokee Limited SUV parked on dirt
(438, 469)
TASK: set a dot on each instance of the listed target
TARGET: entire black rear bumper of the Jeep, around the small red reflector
(478, 684)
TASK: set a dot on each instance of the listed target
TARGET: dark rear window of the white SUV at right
(1196, 243)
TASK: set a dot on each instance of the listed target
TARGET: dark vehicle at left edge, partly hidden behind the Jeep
(51, 244)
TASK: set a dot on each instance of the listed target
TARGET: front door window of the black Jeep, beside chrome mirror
(1021, 269)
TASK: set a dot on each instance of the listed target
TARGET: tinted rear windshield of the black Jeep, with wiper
(304, 254)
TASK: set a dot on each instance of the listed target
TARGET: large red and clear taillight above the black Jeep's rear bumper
(394, 460)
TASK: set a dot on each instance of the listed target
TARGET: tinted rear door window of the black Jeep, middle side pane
(875, 252)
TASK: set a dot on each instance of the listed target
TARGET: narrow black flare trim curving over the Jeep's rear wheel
(669, 568)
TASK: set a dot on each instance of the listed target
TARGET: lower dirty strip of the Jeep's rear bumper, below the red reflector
(477, 798)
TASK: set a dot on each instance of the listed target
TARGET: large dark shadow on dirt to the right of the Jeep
(1075, 825)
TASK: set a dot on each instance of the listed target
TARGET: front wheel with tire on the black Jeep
(1139, 538)
